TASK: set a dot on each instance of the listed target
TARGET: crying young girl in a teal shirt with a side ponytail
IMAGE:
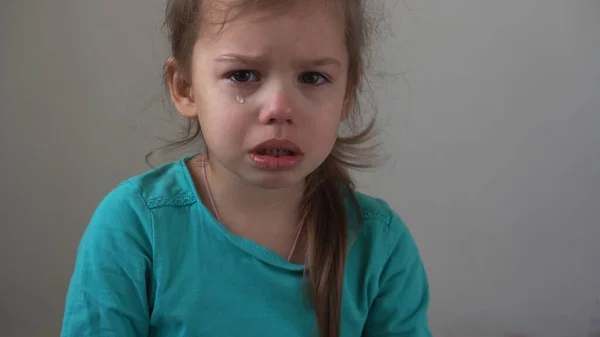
(262, 233)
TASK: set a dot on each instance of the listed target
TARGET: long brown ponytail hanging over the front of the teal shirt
(327, 241)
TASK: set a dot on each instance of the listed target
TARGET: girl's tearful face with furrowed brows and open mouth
(268, 77)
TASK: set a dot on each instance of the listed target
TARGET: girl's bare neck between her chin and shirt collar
(246, 205)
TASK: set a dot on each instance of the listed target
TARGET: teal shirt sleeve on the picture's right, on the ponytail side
(400, 308)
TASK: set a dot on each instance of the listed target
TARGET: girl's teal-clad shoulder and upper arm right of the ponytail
(385, 254)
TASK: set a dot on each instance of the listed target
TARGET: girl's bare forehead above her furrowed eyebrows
(314, 28)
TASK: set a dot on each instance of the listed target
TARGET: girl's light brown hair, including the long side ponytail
(329, 186)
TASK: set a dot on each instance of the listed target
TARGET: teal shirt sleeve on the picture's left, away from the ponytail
(107, 294)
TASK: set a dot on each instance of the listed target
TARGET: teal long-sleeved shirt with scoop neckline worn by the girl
(154, 261)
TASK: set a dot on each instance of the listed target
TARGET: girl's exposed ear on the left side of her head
(180, 89)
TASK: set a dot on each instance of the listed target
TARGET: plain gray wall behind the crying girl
(493, 132)
